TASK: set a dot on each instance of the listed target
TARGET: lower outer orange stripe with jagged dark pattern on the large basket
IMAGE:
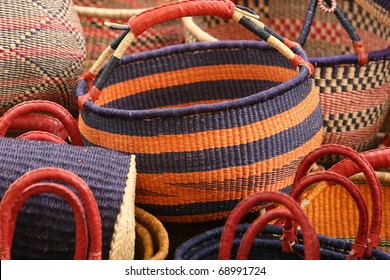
(165, 183)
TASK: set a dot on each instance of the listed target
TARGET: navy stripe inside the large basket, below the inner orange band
(210, 90)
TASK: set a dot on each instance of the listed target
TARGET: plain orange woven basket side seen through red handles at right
(334, 213)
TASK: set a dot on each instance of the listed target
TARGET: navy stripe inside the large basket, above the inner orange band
(173, 58)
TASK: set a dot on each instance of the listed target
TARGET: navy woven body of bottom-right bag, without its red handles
(267, 246)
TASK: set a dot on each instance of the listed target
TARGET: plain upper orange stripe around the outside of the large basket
(206, 139)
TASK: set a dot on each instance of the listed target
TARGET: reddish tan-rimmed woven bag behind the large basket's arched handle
(93, 14)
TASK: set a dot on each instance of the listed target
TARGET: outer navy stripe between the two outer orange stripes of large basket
(238, 155)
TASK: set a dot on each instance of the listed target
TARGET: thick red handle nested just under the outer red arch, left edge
(41, 123)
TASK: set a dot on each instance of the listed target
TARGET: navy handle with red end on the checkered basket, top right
(358, 44)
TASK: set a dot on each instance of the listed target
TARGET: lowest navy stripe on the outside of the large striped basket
(199, 208)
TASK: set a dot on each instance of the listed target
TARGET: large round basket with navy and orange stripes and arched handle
(210, 123)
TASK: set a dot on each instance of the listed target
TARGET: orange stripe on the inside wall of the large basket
(194, 75)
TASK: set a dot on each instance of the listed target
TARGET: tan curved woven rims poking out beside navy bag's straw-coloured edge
(151, 241)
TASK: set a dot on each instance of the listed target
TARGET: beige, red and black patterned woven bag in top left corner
(42, 52)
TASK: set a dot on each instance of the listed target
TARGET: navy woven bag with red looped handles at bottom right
(276, 242)
